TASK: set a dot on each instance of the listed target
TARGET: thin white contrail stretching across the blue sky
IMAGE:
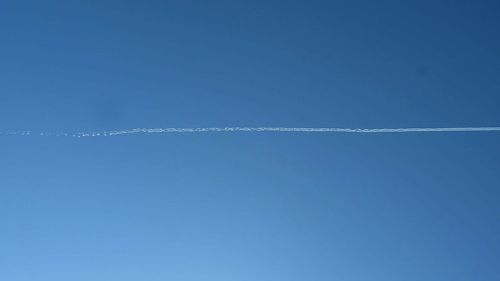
(253, 129)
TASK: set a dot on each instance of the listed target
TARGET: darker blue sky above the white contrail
(74, 64)
